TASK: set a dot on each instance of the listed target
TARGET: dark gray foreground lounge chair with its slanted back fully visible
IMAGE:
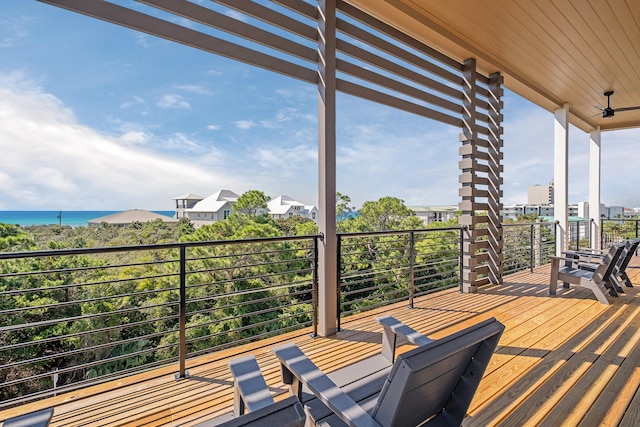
(433, 383)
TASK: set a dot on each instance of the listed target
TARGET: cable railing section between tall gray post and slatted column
(377, 269)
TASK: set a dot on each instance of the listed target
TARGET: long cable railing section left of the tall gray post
(76, 317)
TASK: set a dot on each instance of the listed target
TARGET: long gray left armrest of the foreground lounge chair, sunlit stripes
(297, 370)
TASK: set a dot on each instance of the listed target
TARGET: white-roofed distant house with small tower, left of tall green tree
(214, 208)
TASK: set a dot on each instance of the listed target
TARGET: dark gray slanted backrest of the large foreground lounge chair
(422, 381)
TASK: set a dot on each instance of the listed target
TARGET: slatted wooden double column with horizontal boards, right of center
(480, 179)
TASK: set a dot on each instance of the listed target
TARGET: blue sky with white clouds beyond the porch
(95, 116)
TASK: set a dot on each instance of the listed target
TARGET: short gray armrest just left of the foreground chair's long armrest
(249, 388)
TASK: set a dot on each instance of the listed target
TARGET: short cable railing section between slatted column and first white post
(527, 245)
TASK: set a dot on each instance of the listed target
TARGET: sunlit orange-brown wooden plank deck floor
(565, 360)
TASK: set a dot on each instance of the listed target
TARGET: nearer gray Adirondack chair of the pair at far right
(597, 281)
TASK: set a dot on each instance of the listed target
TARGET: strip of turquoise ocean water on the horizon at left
(72, 218)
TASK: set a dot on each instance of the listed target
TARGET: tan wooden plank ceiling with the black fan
(551, 52)
